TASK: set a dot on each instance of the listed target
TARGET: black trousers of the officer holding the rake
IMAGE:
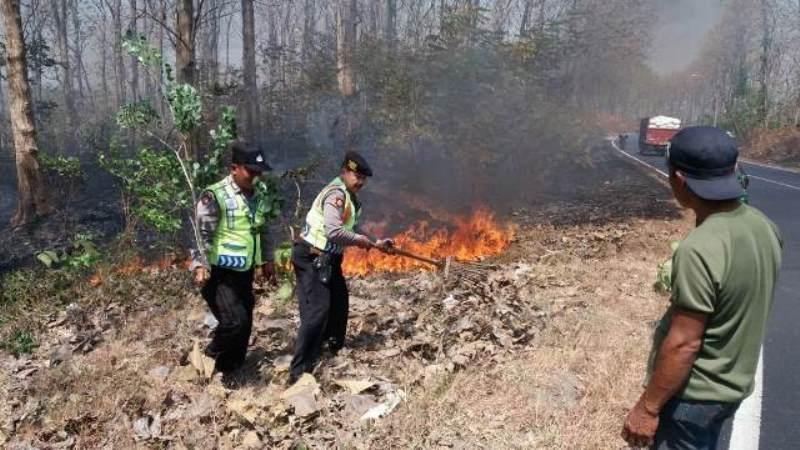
(323, 309)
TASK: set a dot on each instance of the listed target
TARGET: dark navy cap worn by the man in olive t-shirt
(707, 157)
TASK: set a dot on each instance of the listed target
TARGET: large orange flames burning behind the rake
(474, 237)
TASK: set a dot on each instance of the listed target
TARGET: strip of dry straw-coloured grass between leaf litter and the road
(572, 387)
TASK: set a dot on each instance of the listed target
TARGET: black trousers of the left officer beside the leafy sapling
(229, 295)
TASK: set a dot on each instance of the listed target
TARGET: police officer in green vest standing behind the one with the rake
(231, 220)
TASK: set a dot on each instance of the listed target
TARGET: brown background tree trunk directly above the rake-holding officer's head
(345, 46)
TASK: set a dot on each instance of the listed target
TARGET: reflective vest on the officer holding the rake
(314, 228)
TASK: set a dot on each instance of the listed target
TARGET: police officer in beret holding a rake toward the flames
(331, 225)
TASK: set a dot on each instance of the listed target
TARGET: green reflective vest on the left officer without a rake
(237, 239)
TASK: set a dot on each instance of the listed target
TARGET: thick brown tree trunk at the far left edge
(32, 200)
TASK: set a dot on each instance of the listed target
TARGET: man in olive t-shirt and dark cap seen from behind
(706, 348)
